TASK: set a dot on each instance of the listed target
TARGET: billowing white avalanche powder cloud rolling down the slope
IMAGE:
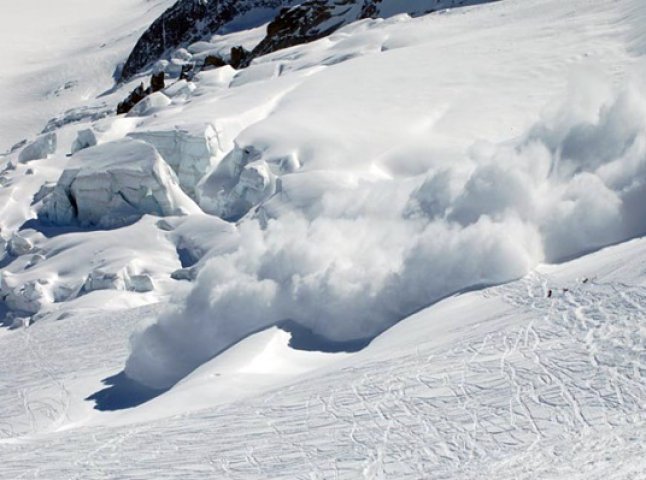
(364, 257)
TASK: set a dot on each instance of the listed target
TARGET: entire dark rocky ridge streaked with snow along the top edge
(190, 21)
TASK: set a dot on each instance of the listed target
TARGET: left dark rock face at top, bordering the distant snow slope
(190, 20)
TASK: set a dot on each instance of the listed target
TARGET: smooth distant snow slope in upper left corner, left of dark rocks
(57, 56)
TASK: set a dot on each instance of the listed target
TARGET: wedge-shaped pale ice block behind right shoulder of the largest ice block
(190, 151)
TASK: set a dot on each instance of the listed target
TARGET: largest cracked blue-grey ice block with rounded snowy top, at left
(113, 185)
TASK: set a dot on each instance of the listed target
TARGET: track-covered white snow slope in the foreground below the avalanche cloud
(503, 383)
